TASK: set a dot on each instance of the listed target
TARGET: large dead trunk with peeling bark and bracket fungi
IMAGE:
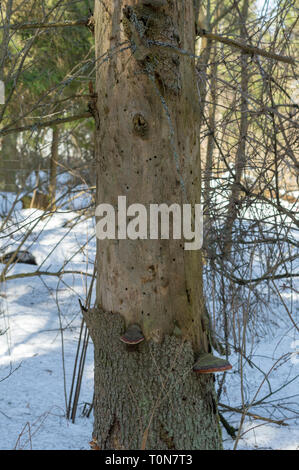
(148, 150)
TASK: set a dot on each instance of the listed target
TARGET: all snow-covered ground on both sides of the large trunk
(36, 365)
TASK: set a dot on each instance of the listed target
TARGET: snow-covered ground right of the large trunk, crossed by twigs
(277, 357)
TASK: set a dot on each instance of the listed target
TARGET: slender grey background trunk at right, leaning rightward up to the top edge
(240, 161)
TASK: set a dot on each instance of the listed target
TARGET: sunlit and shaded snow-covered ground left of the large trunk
(32, 398)
